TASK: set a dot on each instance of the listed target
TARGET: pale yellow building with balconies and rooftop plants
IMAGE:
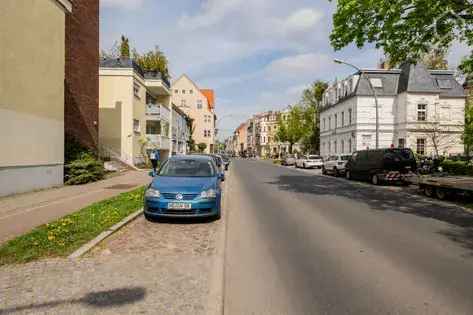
(134, 112)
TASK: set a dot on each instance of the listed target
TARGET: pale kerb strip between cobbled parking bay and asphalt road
(215, 299)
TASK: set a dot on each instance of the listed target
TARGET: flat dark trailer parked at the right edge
(443, 185)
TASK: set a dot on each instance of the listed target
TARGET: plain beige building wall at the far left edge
(32, 63)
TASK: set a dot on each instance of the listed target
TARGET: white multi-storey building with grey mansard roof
(418, 108)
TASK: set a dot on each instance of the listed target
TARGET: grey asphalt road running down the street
(305, 244)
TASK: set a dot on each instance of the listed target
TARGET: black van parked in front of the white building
(382, 165)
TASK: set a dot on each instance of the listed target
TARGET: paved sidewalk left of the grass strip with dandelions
(21, 213)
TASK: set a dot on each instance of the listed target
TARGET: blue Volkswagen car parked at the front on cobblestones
(185, 186)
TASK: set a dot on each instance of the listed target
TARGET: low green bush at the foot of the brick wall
(85, 169)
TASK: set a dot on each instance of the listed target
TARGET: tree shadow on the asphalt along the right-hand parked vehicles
(384, 200)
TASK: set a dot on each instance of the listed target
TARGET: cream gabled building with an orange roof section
(199, 105)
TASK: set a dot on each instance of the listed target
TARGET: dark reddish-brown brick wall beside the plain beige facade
(82, 63)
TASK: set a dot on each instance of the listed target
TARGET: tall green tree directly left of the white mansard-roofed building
(310, 102)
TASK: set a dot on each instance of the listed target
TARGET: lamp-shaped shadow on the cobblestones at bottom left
(98, 300)
